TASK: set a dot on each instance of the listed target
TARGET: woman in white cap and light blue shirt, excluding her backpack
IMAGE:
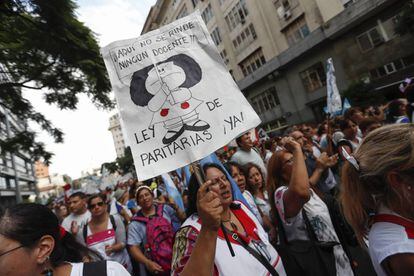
(137, 236)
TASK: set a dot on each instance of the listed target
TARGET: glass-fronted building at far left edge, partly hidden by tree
(17, 180)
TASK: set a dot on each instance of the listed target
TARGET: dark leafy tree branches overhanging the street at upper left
(44, 48)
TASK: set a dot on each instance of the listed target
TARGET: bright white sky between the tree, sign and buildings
(88, 142)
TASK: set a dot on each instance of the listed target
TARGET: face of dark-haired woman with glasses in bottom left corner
(18, 262)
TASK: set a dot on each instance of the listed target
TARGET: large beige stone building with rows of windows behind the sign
(276, 50)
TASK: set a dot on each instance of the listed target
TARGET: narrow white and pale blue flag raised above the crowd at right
(334, 102)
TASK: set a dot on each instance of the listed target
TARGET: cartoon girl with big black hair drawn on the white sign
(165, 89)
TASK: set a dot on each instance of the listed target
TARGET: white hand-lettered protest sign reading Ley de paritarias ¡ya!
(175, 96)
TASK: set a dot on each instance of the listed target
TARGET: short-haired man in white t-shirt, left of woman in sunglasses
(79, 215)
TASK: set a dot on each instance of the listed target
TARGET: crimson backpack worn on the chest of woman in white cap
(160, 235)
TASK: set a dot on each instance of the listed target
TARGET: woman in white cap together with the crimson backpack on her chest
(150, 234)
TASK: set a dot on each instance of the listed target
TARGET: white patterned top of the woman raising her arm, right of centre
(319, 218)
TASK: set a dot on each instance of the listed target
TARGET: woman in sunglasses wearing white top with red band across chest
(105, 233)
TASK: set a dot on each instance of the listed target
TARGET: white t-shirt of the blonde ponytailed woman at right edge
(387, 239)
